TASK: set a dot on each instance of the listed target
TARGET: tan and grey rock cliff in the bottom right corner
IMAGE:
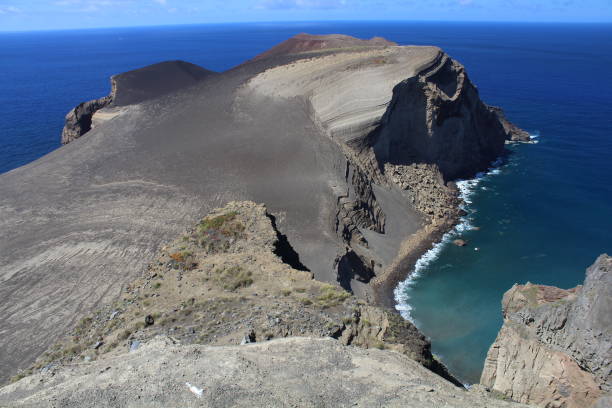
(555, 347)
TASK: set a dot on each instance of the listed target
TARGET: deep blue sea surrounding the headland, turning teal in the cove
(543, 217)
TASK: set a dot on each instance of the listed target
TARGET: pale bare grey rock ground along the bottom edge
(303, 372)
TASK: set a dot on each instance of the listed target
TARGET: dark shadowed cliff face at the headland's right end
(437, 117)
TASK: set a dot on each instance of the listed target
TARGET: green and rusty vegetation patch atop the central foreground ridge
(216, 234)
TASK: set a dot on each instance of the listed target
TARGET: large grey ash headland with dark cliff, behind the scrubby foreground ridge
(78, 223)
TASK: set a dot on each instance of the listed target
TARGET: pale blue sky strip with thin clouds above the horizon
(60, 14)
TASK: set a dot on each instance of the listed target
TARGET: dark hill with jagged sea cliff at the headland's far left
(133, 87)
